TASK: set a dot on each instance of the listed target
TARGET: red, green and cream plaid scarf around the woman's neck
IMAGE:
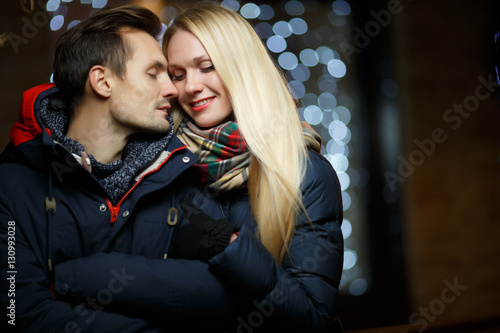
(223, 153)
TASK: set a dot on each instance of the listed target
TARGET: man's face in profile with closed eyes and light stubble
(140, 101)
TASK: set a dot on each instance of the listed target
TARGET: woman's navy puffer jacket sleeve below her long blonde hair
(300, 295)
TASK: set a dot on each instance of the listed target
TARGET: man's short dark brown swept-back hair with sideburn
(97, 40)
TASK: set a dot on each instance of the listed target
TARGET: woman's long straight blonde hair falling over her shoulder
(266, 114)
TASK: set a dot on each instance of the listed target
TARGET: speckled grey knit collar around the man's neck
(116, 177)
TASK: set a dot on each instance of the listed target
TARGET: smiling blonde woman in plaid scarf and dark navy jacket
(242, 119)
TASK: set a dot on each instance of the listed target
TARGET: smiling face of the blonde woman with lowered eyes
(201, 92)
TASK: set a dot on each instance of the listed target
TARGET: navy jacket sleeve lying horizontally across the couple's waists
(169, 290)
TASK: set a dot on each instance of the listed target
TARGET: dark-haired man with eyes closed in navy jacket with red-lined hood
(92, 167)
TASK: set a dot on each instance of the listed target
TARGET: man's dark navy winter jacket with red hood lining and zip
(53, 210)
